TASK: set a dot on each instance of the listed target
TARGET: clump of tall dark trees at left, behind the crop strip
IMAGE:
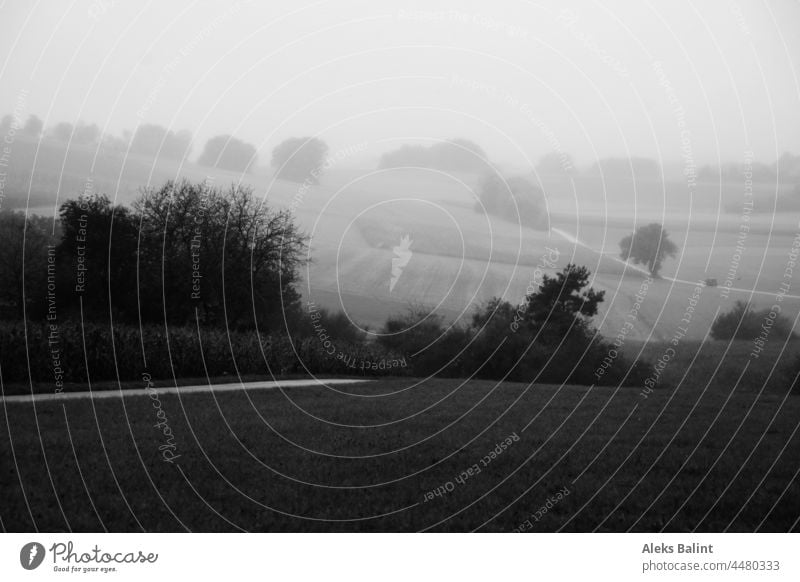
(183, 252)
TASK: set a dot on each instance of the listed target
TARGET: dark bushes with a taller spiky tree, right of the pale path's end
(548, 339)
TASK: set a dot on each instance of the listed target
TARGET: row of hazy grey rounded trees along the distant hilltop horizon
(295, 158)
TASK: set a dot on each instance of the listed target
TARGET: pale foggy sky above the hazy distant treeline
(636, 78)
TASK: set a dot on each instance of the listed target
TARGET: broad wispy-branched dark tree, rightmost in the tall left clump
(220, 254)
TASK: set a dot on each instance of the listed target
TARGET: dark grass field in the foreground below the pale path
(365, 458)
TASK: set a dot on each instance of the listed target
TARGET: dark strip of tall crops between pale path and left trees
(34, 352)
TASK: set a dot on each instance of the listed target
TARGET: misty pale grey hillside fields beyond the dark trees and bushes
(460, 257)
